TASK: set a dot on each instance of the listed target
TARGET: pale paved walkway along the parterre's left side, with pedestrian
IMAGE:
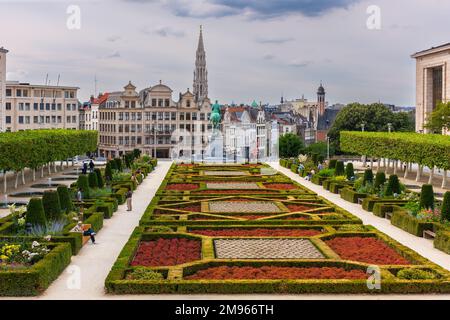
(94, 262)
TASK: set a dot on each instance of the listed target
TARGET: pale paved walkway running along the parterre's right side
(422, 246)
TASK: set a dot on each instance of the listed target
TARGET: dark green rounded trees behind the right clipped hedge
(375, 117)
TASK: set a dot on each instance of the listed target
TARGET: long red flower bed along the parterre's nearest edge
(270, 272)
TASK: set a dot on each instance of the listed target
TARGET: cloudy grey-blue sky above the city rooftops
(256, 49)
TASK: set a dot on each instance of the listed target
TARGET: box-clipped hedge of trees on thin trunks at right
(425, 149)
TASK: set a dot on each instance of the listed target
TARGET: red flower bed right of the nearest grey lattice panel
(368, 250)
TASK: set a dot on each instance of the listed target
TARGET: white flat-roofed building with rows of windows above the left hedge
(29, 106)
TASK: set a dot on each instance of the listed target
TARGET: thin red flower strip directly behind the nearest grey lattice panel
(263, 232)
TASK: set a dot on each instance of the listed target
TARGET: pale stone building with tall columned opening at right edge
(432, 81)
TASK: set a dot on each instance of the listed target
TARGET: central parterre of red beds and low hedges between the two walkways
(250, 229)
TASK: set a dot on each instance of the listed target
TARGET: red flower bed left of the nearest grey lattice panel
(167, 252)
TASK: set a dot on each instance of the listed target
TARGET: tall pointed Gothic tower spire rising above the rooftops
(201, 73)
